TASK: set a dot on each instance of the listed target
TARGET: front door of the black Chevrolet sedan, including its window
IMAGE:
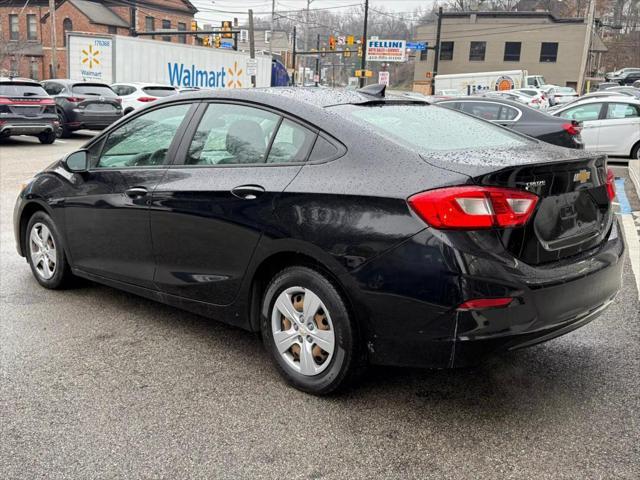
(107, 220)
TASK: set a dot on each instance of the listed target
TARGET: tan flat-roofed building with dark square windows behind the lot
(538, 42)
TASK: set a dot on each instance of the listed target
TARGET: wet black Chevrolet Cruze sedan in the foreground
(345, 226)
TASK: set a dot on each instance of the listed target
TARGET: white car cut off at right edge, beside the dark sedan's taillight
(610, 125)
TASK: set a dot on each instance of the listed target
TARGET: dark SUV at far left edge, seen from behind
(26, 109)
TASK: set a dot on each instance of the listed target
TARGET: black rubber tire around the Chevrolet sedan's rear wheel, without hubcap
(347, 361)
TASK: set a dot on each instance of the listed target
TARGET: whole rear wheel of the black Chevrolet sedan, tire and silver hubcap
(307, 329)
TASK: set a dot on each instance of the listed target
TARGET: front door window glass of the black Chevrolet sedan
(145, 140)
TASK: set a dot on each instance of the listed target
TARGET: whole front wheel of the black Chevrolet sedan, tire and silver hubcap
(45, 253)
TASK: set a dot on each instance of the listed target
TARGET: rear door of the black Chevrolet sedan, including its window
(211, 208)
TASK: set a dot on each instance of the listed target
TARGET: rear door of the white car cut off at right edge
(620, 128)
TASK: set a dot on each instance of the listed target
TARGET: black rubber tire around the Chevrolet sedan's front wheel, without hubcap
(62, 276)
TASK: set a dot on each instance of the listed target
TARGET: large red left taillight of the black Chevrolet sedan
(471, 207)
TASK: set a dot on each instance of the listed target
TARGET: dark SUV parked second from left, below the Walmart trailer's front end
(83, 105)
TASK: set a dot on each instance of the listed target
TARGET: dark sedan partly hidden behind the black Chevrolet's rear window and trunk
(520, 118)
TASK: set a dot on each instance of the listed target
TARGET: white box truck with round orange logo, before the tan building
(471, 83)
